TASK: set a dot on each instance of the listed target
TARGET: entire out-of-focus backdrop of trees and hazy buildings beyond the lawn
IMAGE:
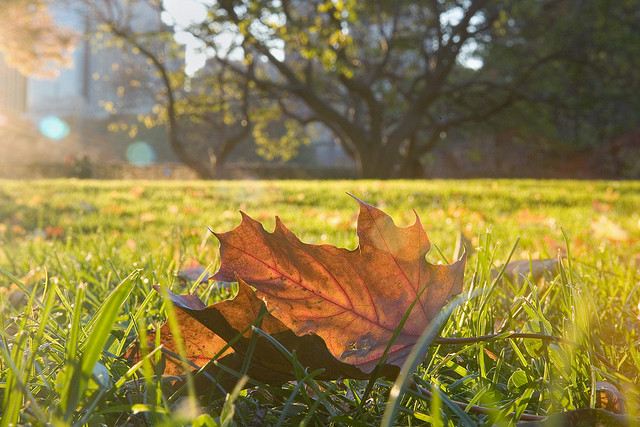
(383, 89)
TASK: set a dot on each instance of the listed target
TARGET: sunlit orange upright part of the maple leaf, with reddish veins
(353, 300)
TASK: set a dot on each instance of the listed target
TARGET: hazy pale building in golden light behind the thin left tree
(48, 120)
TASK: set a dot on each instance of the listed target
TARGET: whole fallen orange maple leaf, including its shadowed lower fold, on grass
(336, 309)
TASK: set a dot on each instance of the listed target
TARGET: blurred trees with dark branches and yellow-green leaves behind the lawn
(392, 81)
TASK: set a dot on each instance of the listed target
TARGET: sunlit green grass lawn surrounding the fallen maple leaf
(78, 259)
